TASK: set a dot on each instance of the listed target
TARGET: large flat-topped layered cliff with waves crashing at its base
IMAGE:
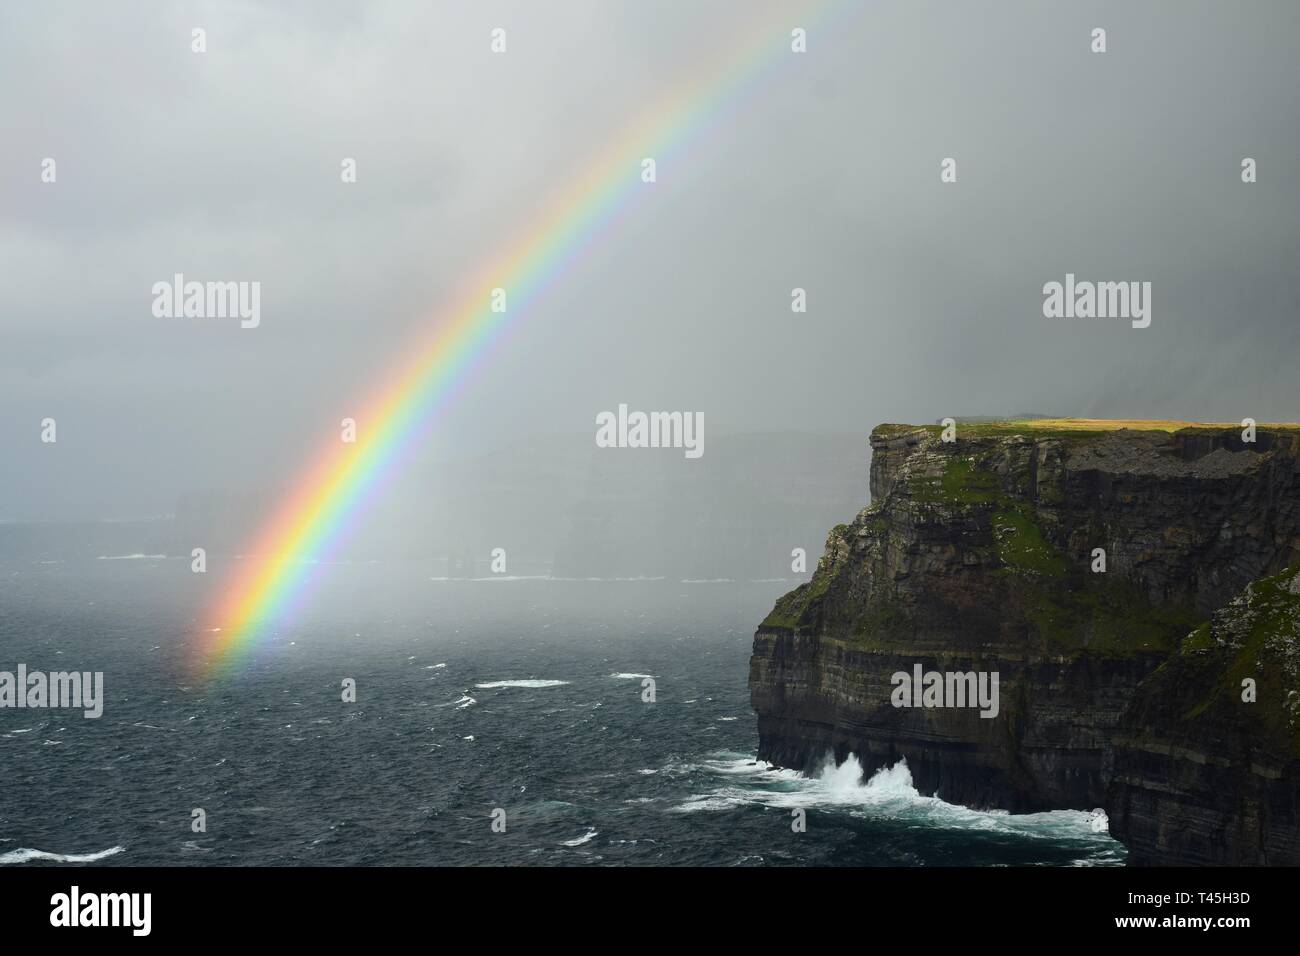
(981, 556)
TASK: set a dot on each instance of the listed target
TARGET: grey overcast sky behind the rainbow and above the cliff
(925, 300)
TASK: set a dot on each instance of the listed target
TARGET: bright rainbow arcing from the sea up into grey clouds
(332, 495)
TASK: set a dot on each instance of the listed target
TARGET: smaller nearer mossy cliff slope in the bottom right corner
(1206, 764)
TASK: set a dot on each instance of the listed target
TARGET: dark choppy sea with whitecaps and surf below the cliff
(519, 721)
